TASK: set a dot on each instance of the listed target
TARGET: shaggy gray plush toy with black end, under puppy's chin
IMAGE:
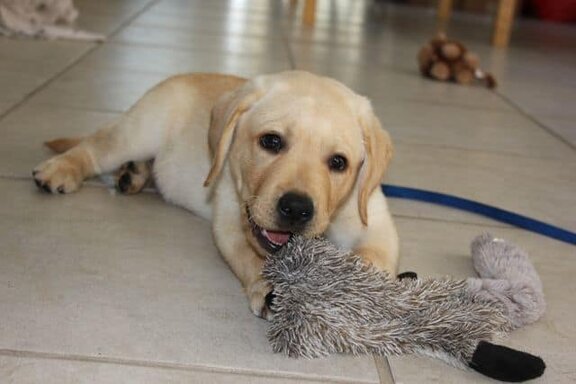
(327, 300)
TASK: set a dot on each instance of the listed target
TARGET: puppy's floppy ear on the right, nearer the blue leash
(378, 149)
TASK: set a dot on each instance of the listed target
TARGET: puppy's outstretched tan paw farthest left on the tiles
(58, 175)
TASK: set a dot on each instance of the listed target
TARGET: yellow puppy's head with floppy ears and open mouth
(297, 145)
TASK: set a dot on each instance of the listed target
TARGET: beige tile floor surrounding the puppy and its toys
(101, 288)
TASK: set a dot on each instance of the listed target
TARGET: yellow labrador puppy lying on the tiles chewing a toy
(262, 159)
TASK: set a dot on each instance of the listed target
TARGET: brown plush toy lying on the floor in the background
(448, 60)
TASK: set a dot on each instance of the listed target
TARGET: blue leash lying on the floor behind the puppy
(481, 209)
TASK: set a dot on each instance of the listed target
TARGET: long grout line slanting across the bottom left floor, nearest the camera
(171, 366)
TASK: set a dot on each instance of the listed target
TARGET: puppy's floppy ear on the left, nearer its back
(224, 120)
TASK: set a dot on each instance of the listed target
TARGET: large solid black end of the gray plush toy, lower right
(506, 364)
